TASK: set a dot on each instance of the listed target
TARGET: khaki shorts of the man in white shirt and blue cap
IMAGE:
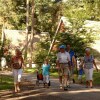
(63, 70)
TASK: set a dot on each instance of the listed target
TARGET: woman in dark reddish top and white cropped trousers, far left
(17, 64)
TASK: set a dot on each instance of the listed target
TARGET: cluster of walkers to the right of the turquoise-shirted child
(66, 63)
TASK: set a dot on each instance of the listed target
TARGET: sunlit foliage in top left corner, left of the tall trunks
(13, 13)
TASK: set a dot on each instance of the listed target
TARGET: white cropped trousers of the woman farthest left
(17, 75)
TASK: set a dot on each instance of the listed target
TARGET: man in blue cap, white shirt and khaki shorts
(63, 64)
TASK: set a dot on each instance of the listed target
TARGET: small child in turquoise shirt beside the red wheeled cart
(45, 72)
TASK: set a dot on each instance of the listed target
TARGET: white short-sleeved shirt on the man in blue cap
(63, 57)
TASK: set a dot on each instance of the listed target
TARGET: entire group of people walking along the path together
(65, 65)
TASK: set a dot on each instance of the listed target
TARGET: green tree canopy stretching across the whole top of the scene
(47, 14)
